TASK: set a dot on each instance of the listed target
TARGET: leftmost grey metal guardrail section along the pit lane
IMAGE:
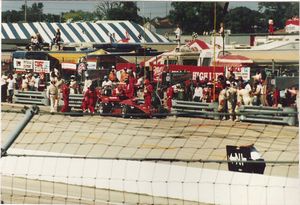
(31, 97)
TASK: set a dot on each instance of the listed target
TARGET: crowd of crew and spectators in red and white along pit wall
(230, 92)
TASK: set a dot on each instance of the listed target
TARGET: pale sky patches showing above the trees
(147, 8)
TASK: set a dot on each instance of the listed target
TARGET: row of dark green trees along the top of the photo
(191, 16)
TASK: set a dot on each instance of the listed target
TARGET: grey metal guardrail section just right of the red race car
(197, 109)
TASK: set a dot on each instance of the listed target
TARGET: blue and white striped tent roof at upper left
(83, 32)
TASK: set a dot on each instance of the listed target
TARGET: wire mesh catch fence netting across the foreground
(63, 159)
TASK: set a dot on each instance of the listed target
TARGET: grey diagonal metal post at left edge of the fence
(29, 113)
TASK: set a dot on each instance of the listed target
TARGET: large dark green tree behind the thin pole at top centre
(195, 16)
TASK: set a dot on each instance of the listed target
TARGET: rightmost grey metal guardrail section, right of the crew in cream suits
(287, 115)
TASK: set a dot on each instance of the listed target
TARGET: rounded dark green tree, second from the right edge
(244, 20)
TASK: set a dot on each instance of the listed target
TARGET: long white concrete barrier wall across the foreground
(156, 179)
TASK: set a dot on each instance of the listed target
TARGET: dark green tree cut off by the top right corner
(279, 12)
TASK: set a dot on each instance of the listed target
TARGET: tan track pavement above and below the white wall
(184, 139)
